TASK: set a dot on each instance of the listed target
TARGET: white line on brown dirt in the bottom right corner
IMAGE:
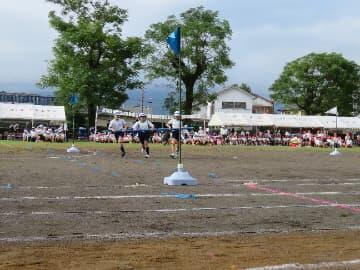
(294, 266)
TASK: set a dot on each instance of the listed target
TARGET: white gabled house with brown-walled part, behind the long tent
(233, 99)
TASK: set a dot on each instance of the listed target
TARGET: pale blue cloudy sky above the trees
(267, 34)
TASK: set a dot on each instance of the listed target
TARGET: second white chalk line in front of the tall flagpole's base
(167, 210)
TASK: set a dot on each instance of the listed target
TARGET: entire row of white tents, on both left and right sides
(57, 114)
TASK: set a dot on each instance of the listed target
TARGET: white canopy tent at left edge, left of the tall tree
(32, 112)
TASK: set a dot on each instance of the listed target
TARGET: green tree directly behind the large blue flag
(204, 54)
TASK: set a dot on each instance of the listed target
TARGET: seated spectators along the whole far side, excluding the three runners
(223, 136)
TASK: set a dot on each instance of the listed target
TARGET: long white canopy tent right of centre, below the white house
(284, 121)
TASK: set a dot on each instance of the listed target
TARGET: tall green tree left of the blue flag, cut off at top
(90, 56)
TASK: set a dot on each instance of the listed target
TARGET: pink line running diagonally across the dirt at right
(254, 186)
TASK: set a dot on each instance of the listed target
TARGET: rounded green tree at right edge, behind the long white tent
(316, 82)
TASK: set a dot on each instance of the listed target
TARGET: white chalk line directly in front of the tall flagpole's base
(147, 196)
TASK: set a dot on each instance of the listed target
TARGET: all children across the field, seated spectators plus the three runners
(143, 131)
